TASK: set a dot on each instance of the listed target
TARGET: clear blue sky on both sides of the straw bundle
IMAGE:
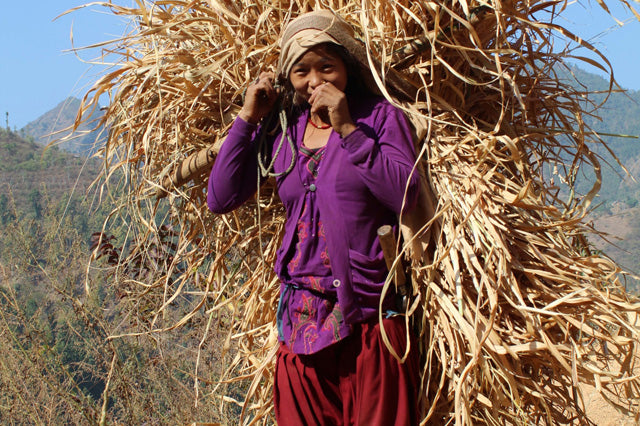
(36, 74)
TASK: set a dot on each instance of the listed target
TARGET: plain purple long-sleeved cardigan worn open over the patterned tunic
(364, 181)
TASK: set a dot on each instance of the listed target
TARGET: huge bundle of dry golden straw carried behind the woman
(514, 310)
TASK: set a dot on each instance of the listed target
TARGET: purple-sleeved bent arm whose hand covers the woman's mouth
(385, 160)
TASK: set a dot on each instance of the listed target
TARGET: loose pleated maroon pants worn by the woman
(353, 382)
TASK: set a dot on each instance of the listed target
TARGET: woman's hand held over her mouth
(330, 103)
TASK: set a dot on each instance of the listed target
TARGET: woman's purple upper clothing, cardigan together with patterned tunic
(330, 262)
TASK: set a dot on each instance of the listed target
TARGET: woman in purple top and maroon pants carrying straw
(343, 168)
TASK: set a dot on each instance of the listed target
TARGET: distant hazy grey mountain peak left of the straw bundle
(50, 127)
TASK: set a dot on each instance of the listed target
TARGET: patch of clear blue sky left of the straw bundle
(36, 73)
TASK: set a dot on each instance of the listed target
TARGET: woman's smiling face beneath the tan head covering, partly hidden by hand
(317, 65)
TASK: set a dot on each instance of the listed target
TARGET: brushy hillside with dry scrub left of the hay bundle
(58, 364)
